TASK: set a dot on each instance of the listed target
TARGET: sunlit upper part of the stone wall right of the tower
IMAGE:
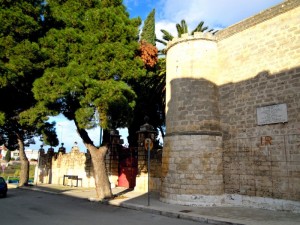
(269, 41)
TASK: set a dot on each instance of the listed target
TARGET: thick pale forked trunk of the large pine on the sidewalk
(102, 183)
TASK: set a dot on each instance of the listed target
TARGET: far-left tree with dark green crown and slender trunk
(21, 62)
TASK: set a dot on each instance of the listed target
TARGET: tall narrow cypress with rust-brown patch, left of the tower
(150, 100)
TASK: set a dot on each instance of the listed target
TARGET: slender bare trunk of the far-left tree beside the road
(24, 173)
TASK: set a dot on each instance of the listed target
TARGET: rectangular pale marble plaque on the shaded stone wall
(272, 114)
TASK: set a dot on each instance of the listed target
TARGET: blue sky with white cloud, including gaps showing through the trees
(216, 14)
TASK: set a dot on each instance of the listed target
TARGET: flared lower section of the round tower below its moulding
(192, 170)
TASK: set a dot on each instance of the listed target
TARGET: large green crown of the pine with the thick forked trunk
(93, 42)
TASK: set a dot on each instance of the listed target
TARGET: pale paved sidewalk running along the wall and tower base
(211, 215)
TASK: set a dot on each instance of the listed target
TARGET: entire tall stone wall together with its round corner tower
(215, 150)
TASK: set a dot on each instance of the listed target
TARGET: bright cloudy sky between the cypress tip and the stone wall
(215, 14)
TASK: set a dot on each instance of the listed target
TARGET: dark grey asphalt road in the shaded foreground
(24, 207)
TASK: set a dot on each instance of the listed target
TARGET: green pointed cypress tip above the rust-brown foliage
(148, 32)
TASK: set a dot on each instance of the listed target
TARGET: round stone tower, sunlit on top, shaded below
(192, 166)
